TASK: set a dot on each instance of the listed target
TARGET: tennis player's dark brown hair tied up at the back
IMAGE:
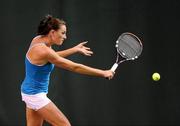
(49, 23)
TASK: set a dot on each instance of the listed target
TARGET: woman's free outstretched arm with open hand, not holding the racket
(80, 48)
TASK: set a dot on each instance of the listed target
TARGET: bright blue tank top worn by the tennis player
(37, 78)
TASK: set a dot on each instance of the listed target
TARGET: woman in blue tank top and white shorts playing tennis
(39, 61)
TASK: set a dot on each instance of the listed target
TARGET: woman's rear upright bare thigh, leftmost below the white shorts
(33, 118)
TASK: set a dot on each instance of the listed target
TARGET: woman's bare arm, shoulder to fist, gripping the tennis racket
(51, 56)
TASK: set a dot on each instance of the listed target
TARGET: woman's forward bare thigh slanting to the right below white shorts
(53, 115)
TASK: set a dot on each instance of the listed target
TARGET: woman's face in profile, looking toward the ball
(60, 35)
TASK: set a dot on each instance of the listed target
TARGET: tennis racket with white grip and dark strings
(129, 47)
